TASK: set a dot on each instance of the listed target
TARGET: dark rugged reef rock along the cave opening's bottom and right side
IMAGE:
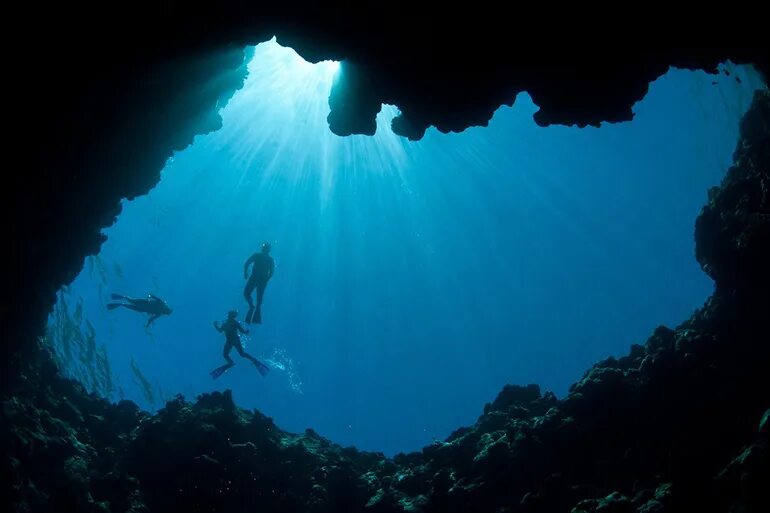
(681, 423)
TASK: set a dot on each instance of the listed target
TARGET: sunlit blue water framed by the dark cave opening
(413, 279)
